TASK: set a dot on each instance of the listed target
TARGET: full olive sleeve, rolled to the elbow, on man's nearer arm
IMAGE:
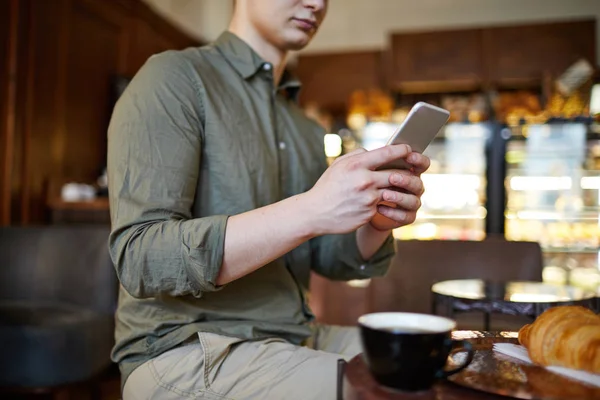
(154, 155)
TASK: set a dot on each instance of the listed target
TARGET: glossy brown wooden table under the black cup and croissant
(497, 374)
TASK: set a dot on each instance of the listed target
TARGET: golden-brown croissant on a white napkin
(566, 336)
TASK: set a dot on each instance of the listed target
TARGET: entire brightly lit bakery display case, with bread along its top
(548, 172)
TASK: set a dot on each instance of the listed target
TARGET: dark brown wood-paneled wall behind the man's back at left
(59, 59)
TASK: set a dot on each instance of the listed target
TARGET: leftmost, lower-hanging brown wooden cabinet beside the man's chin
(329, 79)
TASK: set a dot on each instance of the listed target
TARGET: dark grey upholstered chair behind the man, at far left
(58, 295)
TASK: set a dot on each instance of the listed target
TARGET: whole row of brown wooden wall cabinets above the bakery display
(458, 60)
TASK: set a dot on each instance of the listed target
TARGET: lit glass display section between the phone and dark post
(454, 202)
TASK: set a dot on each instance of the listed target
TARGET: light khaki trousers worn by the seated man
(220, 367)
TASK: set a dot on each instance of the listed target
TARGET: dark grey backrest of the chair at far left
(58, 263)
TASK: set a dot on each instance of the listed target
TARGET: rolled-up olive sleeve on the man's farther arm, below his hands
(337, 257)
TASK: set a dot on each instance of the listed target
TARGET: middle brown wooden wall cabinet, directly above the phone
(443, 59)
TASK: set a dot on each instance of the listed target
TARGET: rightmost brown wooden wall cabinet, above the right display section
(527, 52)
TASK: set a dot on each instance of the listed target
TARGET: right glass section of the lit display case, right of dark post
(553, 197)
